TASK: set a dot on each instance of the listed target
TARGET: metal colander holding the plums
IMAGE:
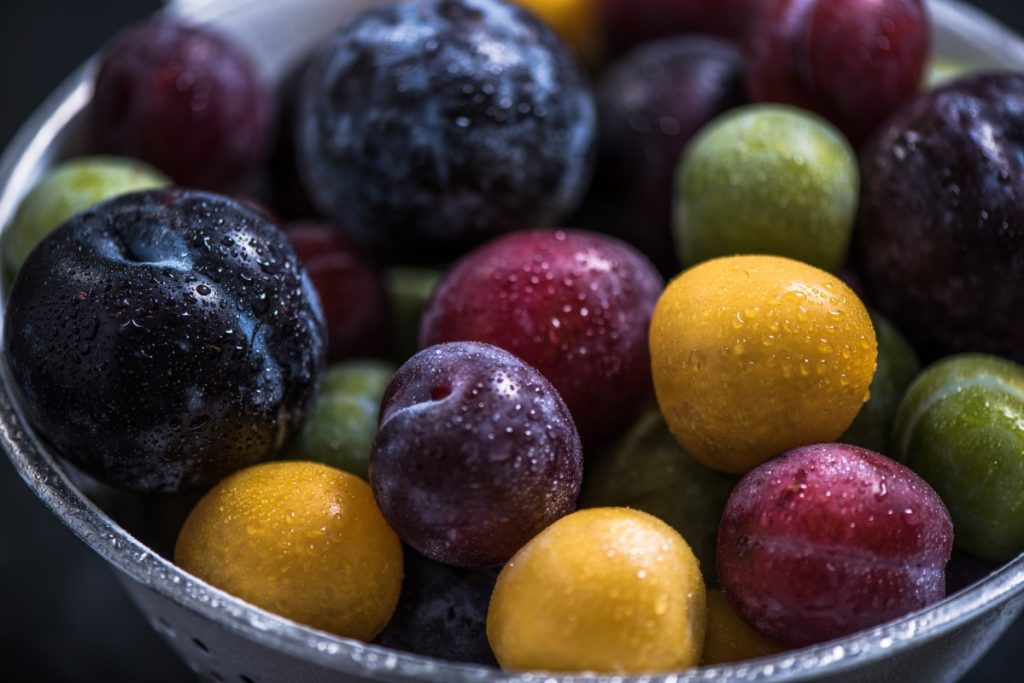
(226, 639)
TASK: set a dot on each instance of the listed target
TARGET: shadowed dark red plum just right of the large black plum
(352, 290)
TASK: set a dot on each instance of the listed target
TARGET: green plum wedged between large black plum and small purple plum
(342, 430)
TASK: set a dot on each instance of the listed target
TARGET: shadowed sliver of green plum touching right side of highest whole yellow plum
(899, 366)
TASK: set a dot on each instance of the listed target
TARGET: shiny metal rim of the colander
(32, 150)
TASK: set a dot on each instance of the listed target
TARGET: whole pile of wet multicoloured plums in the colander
(530, 450)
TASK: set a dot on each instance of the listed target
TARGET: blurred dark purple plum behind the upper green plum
(651, 104)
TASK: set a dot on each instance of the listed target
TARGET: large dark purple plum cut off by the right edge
(941, 239)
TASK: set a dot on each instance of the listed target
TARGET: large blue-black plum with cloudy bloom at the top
(429, 127)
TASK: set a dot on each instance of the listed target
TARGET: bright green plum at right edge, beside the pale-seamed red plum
(961, 428)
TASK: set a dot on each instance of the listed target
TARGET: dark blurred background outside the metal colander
(63, 616)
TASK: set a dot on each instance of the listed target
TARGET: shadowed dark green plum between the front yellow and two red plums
(648, 471)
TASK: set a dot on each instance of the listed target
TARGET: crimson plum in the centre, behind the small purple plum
(574, 305)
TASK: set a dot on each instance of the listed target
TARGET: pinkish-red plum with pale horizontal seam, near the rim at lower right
(825, 541)
